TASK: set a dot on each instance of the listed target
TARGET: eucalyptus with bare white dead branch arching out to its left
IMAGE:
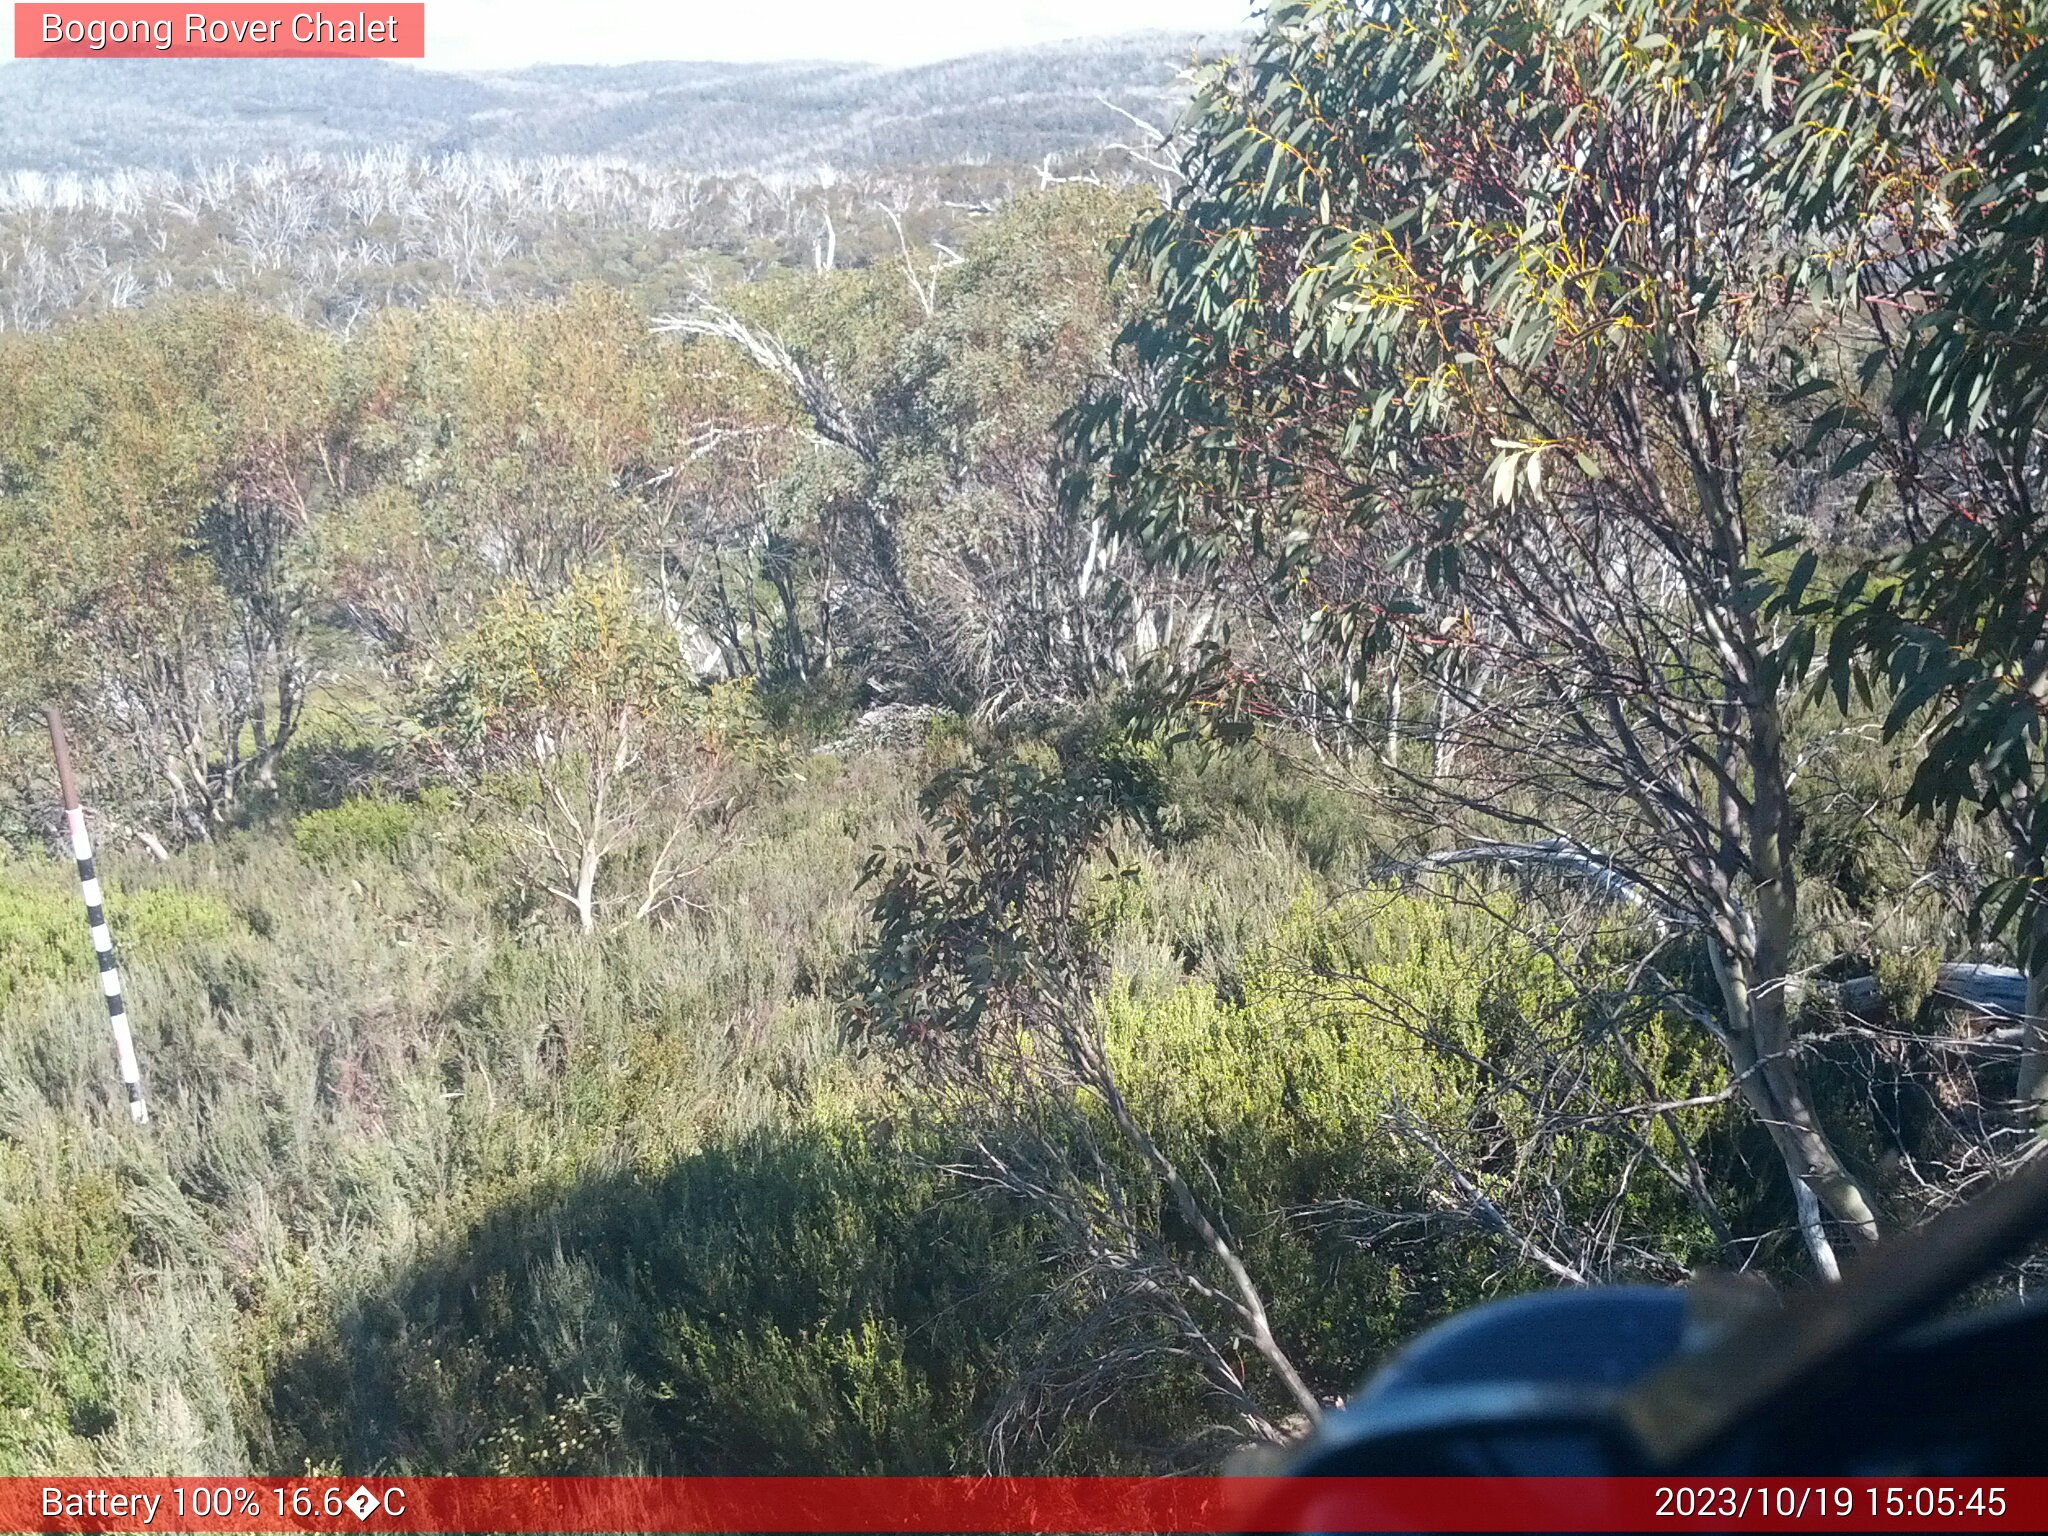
(929, 499)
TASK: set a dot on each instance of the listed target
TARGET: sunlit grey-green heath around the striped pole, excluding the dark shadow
(349, 1054)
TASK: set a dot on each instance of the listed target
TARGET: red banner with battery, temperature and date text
(1015, 1504)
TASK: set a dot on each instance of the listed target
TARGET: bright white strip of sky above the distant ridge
(511, 34)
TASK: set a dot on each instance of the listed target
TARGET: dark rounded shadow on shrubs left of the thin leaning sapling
(802, 1302)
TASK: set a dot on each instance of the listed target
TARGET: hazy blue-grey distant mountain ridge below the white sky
(71, 116)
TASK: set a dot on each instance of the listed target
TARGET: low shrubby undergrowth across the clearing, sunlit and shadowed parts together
(433, 1187)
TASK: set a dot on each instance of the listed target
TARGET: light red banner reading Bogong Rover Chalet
(220, 32)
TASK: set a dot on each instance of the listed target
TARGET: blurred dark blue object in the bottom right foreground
(1850, 1379)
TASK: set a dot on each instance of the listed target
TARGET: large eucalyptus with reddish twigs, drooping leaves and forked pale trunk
(1471, 341)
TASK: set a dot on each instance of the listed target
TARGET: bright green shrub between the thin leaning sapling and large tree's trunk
(1355, 1015)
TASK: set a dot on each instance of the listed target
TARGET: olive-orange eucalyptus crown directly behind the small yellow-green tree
(507, 447)
